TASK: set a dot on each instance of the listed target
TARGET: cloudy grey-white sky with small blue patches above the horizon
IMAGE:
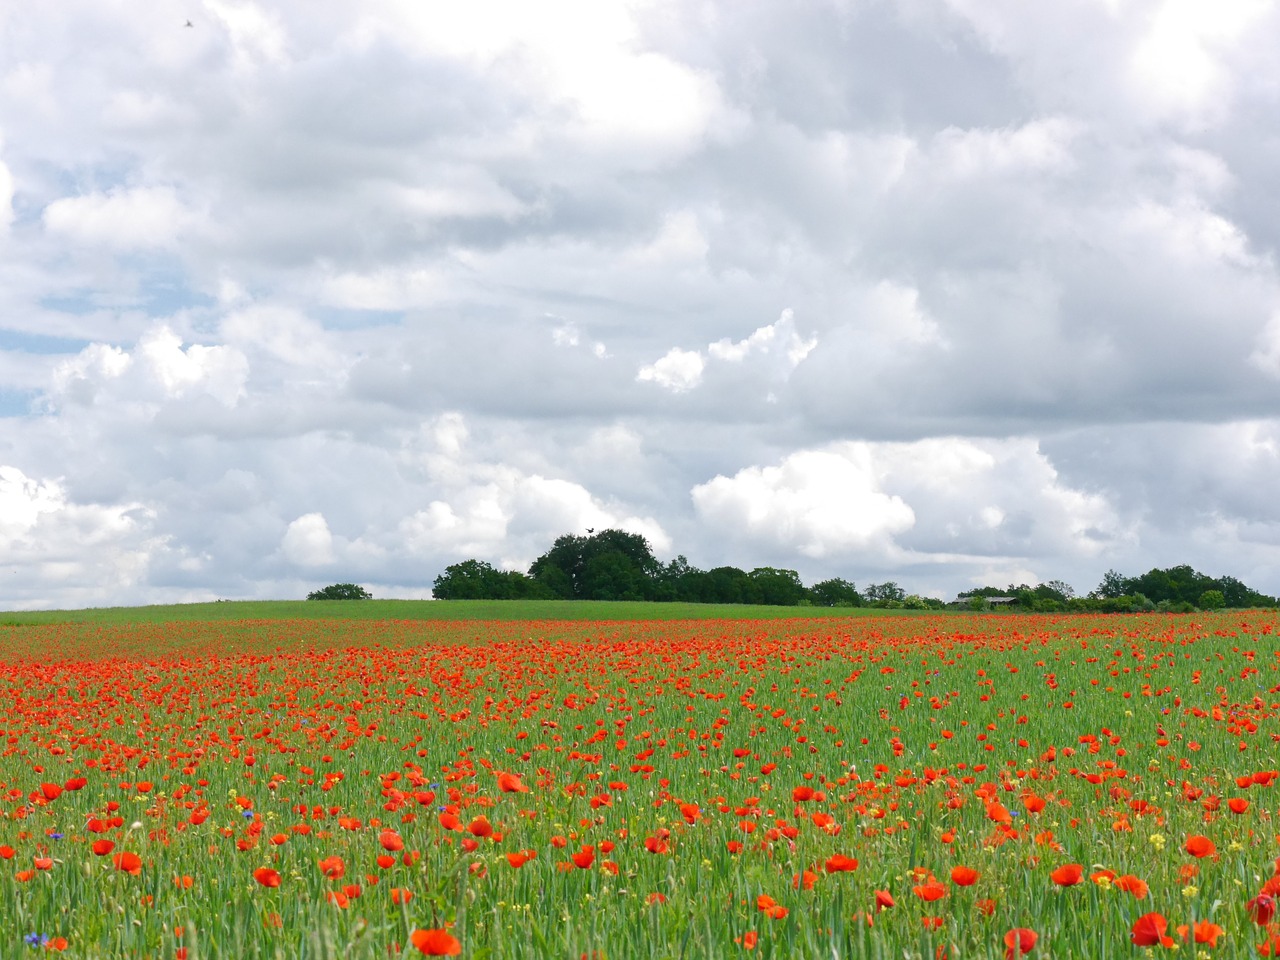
(944, 292)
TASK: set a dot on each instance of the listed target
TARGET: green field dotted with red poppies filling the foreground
(952, 787)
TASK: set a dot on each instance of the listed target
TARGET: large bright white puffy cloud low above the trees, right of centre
(981, 504)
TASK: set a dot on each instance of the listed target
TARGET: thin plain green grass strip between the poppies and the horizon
(432, 610)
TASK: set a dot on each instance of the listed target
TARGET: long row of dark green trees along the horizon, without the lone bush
(615, 565)
